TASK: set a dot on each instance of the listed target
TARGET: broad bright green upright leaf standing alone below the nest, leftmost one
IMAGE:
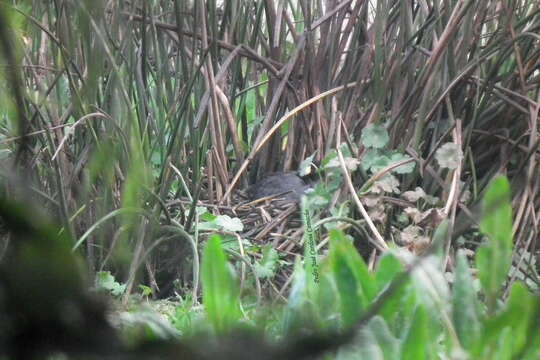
(220, 292)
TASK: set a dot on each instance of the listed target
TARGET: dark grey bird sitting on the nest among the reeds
(279, 183)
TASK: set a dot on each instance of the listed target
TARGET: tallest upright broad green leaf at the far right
(493, 259)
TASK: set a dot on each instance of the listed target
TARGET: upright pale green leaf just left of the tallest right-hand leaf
(464, 304)
